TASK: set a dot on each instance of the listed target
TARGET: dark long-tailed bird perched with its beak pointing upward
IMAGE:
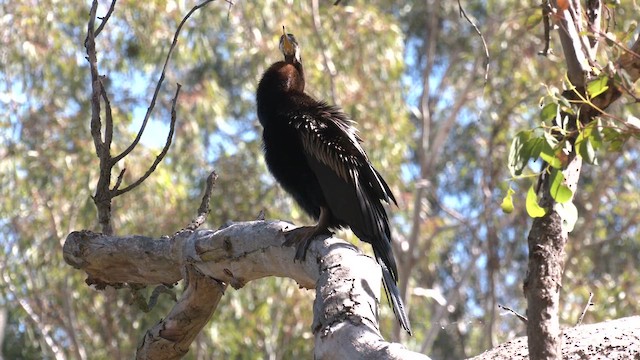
(313, 150)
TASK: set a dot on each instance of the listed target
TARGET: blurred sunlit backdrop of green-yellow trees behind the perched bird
(412, 78)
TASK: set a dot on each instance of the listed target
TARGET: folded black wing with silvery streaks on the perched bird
(351, 186)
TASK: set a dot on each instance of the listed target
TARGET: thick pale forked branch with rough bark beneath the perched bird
(347, 283)
